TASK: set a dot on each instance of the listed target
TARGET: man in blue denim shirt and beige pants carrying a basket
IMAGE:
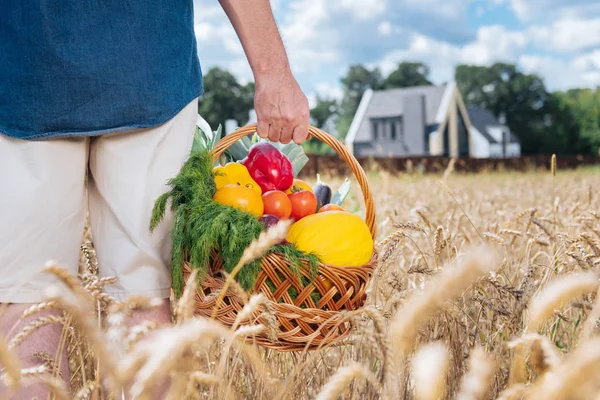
(110, 87)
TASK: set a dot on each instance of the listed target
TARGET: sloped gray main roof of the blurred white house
(388, 103)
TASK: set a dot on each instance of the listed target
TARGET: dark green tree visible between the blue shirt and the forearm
(224, 98)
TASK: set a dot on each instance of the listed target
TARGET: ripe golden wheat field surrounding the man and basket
(486, 288)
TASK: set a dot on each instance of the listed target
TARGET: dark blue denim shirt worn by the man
(89, 67)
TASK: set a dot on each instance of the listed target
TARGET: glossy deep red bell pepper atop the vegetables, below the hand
(269, 167)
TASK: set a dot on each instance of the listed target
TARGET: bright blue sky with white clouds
(556, 39)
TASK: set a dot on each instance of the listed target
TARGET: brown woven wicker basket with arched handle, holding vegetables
(302, 323)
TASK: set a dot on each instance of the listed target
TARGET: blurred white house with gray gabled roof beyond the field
(426, 121)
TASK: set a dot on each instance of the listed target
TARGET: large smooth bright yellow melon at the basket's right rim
(336, 237)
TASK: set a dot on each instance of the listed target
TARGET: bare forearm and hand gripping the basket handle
(281, 107)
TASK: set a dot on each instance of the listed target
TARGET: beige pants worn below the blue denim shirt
(42, 207)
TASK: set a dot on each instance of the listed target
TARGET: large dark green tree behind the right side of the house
(542, 124)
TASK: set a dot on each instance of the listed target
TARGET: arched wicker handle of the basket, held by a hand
(332, 142)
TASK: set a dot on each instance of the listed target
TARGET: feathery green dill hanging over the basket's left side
(201, 225)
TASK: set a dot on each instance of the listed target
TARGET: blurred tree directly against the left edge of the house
(355, 83)
